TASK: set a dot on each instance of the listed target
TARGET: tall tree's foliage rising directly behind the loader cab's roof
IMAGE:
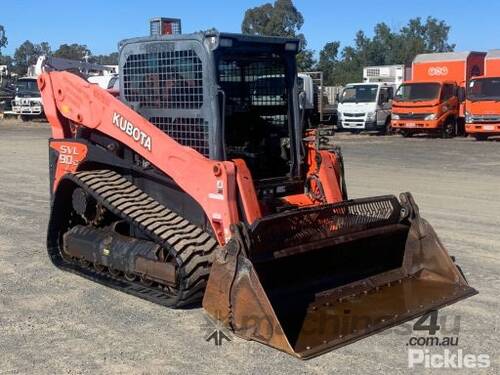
(279, 19)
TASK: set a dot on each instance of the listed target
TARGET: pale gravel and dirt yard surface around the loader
(55, 322)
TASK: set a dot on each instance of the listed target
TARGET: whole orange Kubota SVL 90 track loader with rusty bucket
(199, 183)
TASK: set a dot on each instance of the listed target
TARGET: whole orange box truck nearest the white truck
(433, 101)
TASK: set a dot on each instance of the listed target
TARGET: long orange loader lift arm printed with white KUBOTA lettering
(68, 98)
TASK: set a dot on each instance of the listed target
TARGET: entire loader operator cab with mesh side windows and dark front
(227, 96)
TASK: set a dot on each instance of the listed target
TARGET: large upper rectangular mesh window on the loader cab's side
(170, 79)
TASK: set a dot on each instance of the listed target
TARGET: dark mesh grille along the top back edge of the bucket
(302, 226)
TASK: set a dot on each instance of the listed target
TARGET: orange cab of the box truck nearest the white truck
(426, 106)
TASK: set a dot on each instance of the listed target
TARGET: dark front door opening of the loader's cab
(256, 81)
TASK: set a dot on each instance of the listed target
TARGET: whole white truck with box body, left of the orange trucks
(368, 105)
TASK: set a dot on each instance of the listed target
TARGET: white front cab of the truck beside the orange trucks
(365, 106)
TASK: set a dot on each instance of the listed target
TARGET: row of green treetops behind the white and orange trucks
(386, 47)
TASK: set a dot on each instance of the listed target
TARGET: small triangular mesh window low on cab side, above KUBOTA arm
(191, 132)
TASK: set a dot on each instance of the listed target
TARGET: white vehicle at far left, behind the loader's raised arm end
(28, 101)
